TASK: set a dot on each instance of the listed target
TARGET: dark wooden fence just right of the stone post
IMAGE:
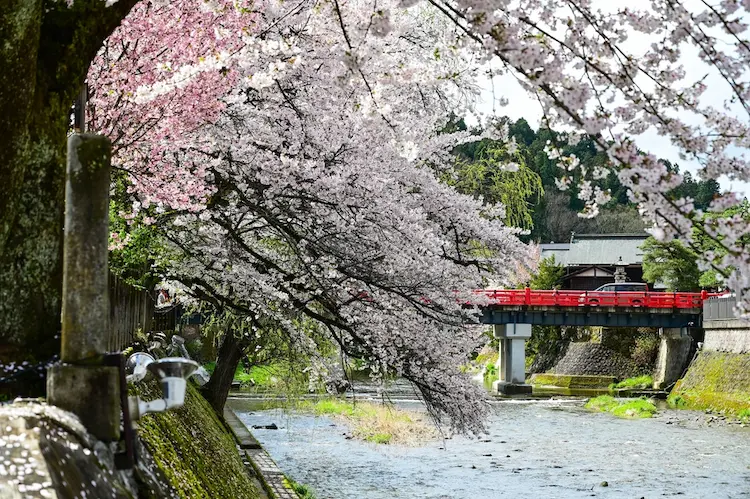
(130, 309)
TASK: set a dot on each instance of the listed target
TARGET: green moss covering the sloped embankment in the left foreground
(191, 446)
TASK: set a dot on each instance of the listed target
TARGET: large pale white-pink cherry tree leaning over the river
(321, 206)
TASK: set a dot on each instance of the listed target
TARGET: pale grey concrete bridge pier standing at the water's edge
(511, 361)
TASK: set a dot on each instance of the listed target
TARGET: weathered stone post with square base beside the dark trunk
(81, 384)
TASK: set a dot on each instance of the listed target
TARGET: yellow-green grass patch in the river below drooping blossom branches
(376, 423)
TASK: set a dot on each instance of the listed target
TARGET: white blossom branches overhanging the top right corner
(615, 71)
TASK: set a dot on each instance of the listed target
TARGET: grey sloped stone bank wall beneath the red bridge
(595, 359)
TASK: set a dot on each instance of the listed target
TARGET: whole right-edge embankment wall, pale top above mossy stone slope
(718, 379)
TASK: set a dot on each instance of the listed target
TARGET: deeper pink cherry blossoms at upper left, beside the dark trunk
(156, 80)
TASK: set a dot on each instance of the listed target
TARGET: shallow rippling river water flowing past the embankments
(534, 449)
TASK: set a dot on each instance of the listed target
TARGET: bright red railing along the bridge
(571, 298)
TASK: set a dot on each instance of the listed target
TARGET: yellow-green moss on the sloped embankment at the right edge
(717, 382)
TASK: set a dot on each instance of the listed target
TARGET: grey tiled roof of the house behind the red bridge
(598, 249)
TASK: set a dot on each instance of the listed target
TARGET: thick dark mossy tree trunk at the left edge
(47, 49)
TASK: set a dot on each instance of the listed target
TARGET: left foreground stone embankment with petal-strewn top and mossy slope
(46, 452)
